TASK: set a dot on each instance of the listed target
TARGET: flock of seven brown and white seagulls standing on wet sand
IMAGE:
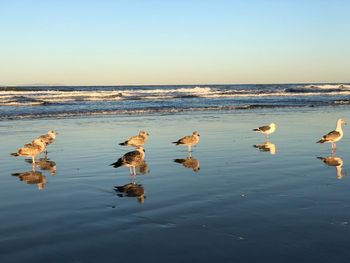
(136, 158)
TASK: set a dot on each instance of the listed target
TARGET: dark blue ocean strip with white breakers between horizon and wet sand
(25, 102)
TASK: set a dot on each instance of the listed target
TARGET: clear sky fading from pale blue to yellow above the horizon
(82, 42)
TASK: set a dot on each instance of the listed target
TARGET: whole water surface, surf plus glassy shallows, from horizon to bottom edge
(235, 198)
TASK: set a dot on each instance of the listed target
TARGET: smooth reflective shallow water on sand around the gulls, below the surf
(243, 205)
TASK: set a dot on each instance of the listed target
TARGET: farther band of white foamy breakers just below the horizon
(49, 97)
